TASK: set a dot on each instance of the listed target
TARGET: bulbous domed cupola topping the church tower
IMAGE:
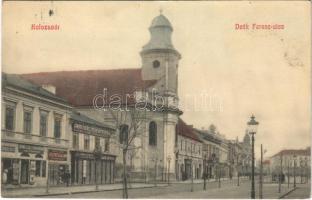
(160, 31)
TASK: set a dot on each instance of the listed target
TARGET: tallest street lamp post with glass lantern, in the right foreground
(252, 129)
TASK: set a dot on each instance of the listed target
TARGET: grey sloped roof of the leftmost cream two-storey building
(19, 82)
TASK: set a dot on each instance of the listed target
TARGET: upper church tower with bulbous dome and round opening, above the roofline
(160, 60)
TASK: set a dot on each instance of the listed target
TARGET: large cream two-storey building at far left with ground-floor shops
(34, 144)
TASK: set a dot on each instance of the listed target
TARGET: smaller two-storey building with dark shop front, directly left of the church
(92, 160)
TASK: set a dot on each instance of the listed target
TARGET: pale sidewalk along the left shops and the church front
(41, 191)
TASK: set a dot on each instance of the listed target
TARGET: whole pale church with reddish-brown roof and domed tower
(93, 93)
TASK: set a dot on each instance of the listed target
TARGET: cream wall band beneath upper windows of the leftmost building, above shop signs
(33, 138)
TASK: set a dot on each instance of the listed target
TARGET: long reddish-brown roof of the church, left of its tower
(80, 87)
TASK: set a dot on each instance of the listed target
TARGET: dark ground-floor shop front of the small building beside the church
(87, 168)
